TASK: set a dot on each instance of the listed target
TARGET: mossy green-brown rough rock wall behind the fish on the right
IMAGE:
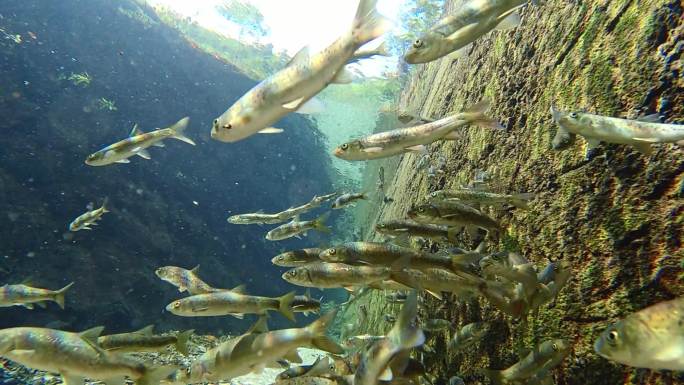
(616, 217)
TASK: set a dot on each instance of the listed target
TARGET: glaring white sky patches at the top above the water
(293, 24)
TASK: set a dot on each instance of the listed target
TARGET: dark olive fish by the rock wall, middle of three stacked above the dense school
(453, 214)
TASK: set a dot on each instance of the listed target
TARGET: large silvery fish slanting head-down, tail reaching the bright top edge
(289, 89)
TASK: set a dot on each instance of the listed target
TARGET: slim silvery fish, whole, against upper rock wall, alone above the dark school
(415, 138)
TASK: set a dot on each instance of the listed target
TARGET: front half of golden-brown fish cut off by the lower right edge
(649, 338)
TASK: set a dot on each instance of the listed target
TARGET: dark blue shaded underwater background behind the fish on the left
(49, 126)
